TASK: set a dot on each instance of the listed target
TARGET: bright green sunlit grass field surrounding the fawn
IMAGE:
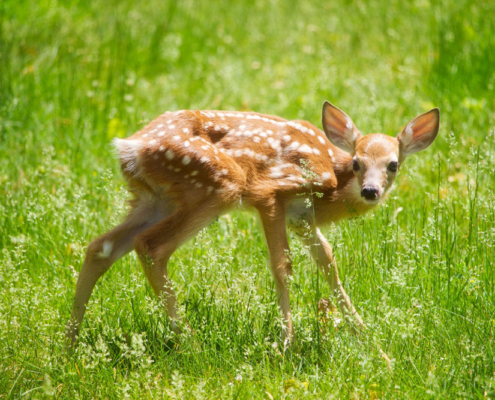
(75, 74)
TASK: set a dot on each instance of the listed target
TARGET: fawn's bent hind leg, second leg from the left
(156, 245)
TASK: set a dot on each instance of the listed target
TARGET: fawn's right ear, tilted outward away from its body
(419, 133)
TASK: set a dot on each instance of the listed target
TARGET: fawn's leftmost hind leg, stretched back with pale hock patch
(100, 256)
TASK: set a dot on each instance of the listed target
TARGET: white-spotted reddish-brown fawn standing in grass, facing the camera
(186, 168)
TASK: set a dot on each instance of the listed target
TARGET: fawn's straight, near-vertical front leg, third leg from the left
(273, 220)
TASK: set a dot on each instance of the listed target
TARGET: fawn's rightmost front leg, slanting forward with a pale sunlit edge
(323, 256)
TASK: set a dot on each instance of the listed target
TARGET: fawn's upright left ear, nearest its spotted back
(339, 128)
